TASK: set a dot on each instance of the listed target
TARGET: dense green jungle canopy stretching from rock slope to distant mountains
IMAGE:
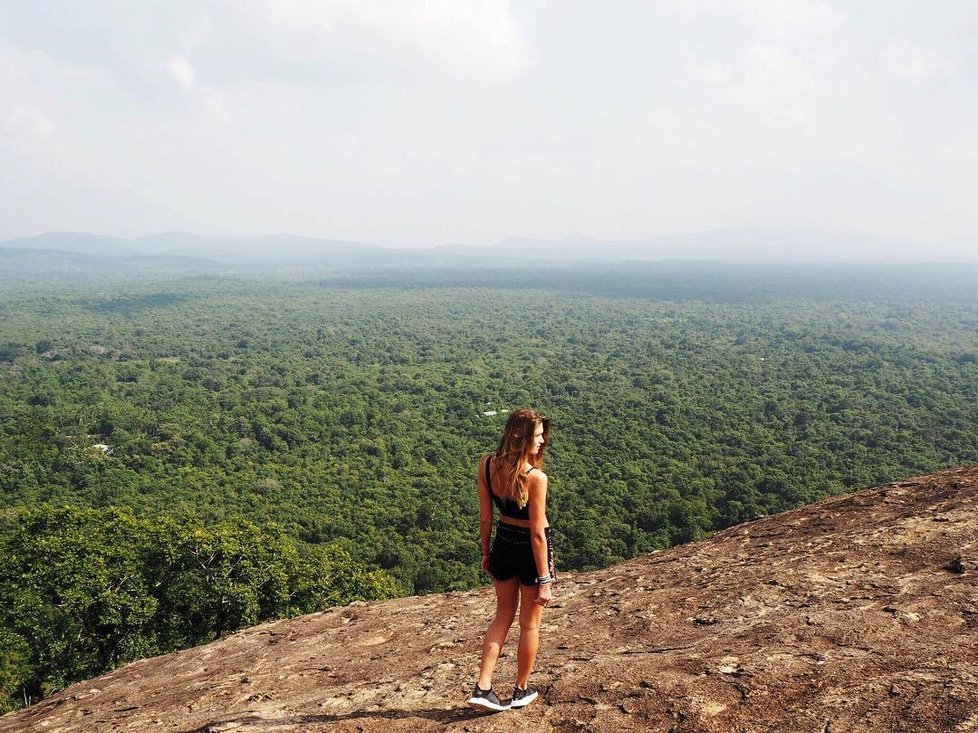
(183, 455)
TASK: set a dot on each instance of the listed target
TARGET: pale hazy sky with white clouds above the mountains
(415, 123)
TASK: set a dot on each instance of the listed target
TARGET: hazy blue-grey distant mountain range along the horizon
(742, 244)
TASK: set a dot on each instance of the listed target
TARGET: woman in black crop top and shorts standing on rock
(521, 559)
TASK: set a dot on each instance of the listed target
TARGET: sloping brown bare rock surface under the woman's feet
(858, 613)
